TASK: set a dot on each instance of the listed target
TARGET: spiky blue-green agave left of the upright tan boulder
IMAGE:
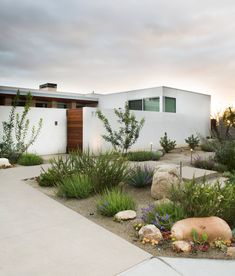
(140, 176)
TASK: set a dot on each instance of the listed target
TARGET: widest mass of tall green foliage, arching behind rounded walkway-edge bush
(105, 169)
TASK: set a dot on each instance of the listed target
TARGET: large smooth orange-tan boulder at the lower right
(214, 227)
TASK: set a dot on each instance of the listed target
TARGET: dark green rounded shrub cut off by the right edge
(225, 154)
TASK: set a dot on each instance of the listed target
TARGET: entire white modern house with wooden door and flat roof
(70, 119)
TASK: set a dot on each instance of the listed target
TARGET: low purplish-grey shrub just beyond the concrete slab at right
(209, 164)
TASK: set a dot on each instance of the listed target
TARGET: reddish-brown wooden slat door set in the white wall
(74, 129)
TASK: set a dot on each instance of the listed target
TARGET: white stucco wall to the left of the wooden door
(52, 139)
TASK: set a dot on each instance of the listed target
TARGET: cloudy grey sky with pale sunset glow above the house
(110, 46)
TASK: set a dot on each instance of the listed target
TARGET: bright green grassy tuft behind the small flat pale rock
(113, 201)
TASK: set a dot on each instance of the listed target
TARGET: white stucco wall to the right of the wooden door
(177, 126)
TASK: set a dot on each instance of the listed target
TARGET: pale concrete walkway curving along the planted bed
(39, 236)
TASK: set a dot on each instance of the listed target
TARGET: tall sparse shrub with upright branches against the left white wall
(15, 131)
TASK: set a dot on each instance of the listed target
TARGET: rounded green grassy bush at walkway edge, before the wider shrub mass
(75, 186)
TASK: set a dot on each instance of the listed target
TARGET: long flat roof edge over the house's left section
(47, 93)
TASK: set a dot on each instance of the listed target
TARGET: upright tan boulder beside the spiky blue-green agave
(164, 176)
